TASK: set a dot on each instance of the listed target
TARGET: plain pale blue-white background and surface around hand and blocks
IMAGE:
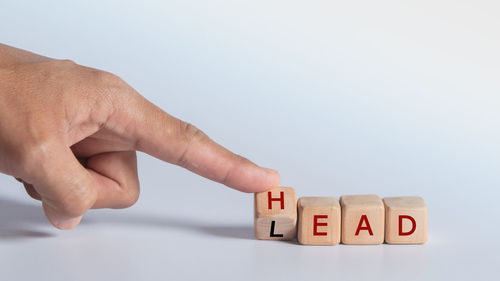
(342, 97)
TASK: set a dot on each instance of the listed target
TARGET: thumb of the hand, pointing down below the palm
(66, 188)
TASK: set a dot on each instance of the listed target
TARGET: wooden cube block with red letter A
(362, 219)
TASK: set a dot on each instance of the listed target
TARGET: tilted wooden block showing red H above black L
(276, 214)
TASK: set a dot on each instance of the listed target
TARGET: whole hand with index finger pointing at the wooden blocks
(70, 134)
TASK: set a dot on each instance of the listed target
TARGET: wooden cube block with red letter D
(405, 220)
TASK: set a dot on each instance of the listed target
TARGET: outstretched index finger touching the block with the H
(163, 136)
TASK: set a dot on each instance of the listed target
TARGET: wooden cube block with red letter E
(319, 221)
